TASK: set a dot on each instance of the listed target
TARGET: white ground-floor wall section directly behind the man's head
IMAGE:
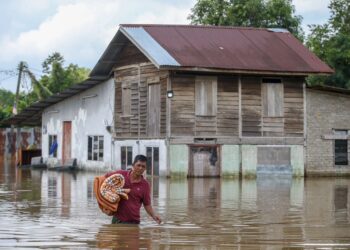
(139, 147)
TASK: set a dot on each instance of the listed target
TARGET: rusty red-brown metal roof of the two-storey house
(231, 48)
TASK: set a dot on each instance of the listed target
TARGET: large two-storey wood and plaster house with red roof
(199, 101)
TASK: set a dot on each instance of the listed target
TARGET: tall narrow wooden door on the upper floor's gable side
(153, 121)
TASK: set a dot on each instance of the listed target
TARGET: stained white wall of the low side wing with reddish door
(89, 116)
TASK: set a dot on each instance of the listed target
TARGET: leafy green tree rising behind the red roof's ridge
(248, 13)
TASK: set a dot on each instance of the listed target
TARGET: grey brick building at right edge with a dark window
(328, 131)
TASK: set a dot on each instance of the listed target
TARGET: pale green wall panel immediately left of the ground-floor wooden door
(178, 160)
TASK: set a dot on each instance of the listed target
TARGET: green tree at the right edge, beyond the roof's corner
(331, 42)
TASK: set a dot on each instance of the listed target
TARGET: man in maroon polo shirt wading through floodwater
(129, 210)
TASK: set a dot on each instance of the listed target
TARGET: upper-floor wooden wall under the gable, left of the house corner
(139, 77)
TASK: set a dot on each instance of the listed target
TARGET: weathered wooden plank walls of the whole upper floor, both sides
(183, 119)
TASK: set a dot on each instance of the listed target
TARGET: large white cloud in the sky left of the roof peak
(81, 30)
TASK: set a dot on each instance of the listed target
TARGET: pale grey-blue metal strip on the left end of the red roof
(150, 47)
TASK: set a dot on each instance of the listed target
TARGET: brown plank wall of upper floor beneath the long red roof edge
(185, 122)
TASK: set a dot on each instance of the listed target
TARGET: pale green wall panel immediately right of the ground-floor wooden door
(230, 161)
